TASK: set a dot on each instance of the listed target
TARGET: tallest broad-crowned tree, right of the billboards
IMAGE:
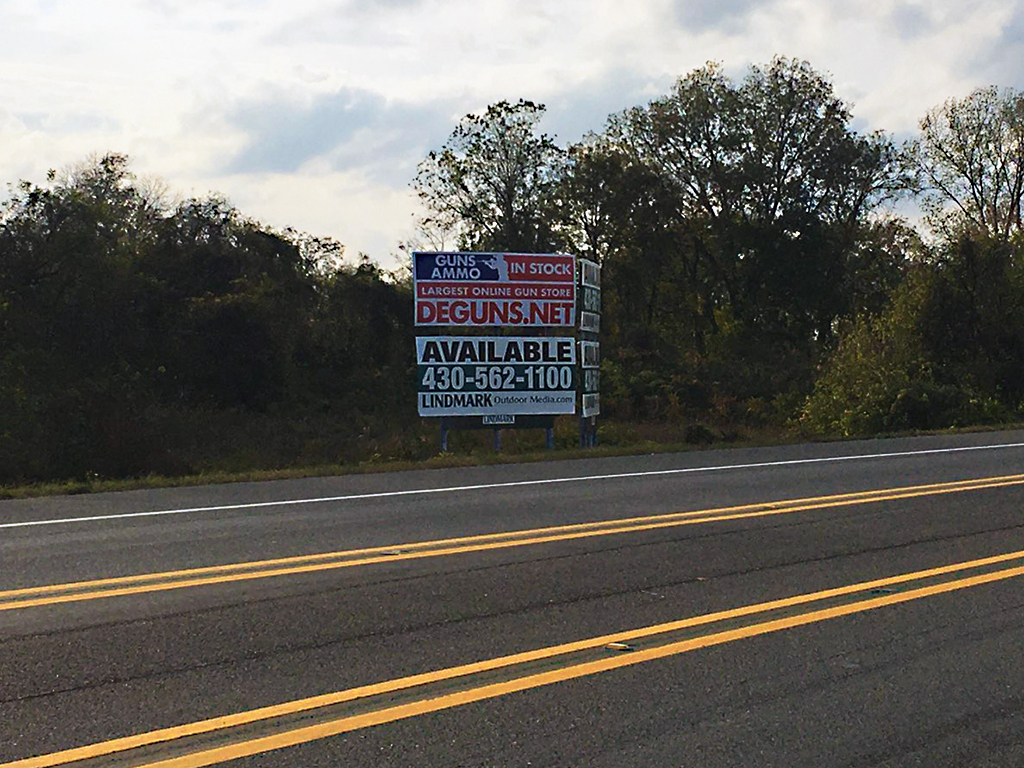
(773, 185)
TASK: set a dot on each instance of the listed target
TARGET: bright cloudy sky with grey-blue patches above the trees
(314, 114)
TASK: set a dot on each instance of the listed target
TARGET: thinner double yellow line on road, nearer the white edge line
(174, 580)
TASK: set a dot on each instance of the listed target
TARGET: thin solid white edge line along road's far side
(515, 484)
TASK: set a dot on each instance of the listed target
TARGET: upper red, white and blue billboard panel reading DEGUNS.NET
(525, 290)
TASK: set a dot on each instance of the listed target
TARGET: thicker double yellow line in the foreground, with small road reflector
(247, 734)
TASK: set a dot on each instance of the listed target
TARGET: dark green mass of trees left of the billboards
(118, 312)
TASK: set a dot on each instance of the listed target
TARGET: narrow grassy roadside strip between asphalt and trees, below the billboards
(475, 450)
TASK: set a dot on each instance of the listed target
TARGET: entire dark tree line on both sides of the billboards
(754, 273)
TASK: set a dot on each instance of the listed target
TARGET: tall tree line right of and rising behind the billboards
(754, 267)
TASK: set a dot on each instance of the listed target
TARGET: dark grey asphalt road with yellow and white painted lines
(922, 666)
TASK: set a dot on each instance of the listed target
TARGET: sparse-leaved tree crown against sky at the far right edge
(969, 162)
